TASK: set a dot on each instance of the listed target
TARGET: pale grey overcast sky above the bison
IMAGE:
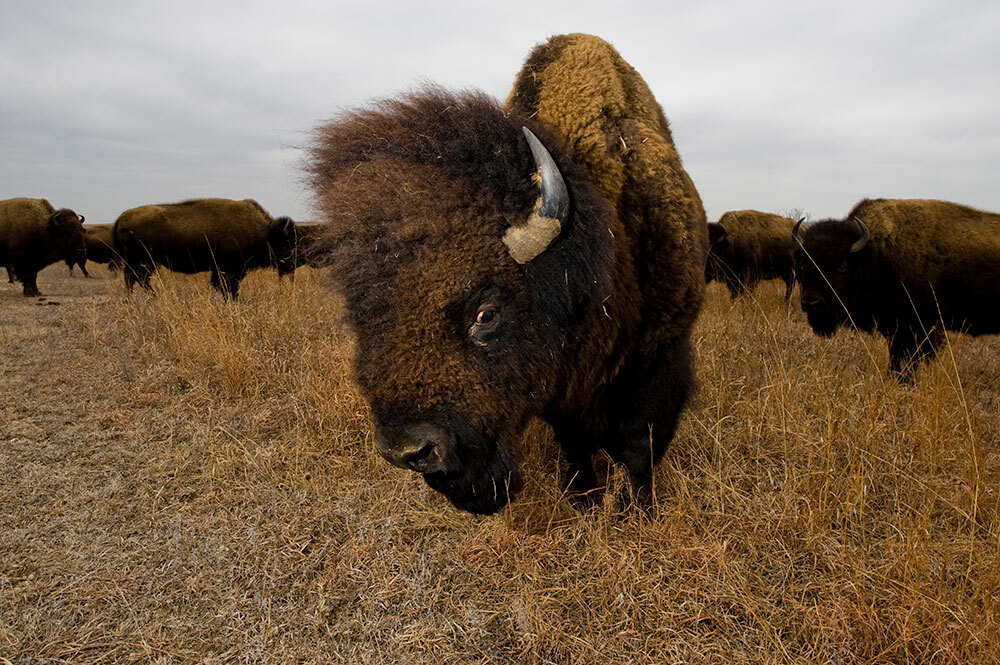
(774, 105)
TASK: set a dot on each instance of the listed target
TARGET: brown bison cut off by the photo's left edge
(33, 234)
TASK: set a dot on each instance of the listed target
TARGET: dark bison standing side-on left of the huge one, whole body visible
(225, 237)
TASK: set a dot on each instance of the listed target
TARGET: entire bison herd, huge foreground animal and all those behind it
(546, 257)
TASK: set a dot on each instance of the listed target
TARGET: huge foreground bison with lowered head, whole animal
(543, 258)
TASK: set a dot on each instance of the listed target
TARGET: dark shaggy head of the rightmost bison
(833, 263)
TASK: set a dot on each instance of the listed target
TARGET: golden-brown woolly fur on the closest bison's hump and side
(603, 109)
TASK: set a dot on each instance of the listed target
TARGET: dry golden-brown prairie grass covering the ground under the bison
(186, 480)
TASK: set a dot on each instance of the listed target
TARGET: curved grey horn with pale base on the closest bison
(525, 242)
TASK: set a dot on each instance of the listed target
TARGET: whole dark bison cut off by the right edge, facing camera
(909, 269)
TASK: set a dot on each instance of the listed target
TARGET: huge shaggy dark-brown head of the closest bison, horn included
(470, 254)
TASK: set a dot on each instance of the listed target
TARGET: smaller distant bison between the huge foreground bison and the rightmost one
(746, 247)
